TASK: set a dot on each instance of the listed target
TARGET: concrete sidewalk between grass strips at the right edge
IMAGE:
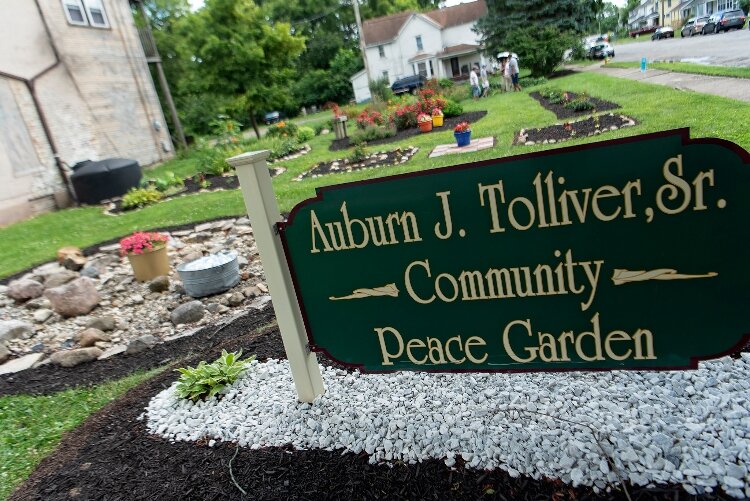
(734, 88)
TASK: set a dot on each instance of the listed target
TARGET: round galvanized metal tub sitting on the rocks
(210, 274)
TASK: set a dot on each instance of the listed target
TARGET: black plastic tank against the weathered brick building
(105, 179)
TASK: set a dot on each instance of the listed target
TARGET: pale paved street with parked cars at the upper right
(724, 49)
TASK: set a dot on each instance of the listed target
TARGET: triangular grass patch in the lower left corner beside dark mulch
(33, 425)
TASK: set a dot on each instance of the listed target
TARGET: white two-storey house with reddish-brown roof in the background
(439, 44)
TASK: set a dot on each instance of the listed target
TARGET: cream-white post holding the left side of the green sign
(263, 211)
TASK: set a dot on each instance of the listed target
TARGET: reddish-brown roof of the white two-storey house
(384, 29)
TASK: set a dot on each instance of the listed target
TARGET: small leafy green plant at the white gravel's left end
(206, 380)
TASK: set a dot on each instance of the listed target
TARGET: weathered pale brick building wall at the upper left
(74, 86)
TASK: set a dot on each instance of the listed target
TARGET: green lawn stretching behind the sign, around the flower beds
(657, 108)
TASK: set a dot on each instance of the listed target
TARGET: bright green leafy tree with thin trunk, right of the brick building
(238, 54)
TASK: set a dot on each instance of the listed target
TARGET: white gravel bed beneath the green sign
(690, 428)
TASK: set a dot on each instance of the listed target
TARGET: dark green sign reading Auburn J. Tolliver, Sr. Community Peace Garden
(620, 254)
